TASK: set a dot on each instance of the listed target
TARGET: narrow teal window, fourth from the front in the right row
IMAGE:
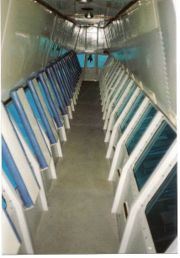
(132, 111)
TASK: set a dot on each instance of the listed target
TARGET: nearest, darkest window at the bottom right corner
(161, 213)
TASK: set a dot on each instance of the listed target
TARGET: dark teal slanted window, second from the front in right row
(153, 153)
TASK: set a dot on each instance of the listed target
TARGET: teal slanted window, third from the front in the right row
(140, 128)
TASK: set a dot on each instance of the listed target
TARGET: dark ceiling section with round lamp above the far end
(102, 10)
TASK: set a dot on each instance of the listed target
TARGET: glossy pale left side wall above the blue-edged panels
(26, 45)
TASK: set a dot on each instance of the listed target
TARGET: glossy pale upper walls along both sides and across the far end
(145, 36)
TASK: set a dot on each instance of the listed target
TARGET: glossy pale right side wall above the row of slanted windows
(145, 41)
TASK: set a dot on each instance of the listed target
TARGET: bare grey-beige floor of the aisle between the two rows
(79, 219)
